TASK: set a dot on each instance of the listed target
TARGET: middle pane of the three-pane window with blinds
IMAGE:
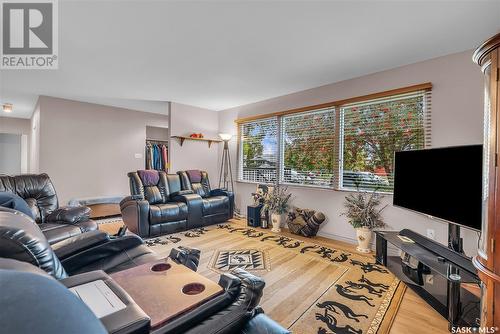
(308, 143)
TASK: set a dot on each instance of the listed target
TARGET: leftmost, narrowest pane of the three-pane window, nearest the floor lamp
(259, 151)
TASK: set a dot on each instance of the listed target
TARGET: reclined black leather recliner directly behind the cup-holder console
(21, 239)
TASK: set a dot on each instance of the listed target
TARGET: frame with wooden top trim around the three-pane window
(424, 89)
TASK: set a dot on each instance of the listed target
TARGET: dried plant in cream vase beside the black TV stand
(364, 215)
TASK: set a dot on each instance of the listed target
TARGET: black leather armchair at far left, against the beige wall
(57, 223)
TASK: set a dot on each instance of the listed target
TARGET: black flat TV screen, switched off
(443, 182)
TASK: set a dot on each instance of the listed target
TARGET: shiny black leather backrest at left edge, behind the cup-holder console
(21, 239)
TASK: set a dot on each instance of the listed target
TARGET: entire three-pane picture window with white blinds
(349, 145)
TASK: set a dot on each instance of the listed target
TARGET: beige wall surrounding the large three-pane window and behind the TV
(457, 107)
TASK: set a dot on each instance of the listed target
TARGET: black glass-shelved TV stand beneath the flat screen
(444, 278)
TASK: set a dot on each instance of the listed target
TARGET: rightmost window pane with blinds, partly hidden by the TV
(372, 131)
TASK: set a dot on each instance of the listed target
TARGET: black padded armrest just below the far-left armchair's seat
(79, 243)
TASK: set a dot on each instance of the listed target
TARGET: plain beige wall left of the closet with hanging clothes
(87, 149)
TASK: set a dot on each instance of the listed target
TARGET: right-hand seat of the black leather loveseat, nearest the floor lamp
(217, 204)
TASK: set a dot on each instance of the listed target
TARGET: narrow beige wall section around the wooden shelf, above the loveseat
(194, 154)
